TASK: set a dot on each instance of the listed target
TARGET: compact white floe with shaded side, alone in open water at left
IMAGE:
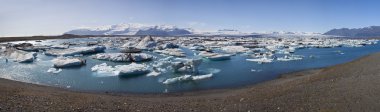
(63, 62)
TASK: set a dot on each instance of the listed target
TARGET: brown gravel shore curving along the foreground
(347, 87)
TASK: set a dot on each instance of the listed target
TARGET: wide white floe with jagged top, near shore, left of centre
(121, 70)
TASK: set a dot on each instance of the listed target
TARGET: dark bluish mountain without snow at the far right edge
(372, 31)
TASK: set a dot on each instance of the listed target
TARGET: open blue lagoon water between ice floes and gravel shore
(229, 73)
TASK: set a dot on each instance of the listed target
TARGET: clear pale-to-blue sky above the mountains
(54, 17)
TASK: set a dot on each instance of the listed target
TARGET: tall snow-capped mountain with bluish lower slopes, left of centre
(132, 29)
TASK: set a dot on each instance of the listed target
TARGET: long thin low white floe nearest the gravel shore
(187, 78)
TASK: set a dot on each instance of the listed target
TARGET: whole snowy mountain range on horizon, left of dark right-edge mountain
(170, 30)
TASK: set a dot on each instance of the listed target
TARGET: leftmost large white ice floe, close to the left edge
(22, 56)
